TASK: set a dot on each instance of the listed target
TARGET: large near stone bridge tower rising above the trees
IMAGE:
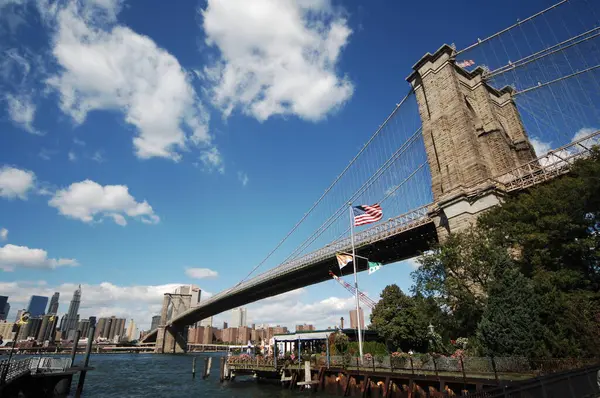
(472, 133)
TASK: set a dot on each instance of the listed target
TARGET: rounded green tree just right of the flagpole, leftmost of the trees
(398, 321)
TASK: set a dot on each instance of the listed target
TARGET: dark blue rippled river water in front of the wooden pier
(157, 376)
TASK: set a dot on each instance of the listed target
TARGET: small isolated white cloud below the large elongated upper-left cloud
(86, 199)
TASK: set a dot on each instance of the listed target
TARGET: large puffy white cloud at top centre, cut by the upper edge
(277, 57)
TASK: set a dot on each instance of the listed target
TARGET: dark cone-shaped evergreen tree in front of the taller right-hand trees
(510, 324)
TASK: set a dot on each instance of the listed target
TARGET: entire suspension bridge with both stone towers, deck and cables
(475, 124)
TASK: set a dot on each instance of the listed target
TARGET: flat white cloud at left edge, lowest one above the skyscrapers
(12, 257)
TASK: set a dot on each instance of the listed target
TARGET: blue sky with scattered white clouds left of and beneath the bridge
(140, 139)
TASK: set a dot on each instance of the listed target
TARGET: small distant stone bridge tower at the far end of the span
(172, 339)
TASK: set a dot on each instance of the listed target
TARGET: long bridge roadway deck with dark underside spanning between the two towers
(396, 239)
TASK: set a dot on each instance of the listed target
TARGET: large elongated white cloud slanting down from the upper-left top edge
(106, 66)
